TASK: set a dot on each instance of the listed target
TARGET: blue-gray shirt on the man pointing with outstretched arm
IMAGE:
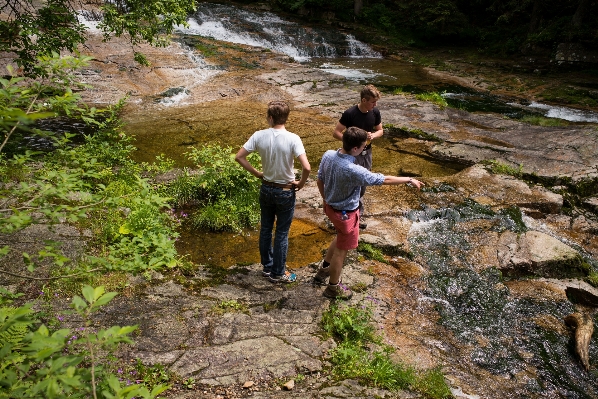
(343, 179)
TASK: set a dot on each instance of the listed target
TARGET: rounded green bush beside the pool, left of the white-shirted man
(226, 194)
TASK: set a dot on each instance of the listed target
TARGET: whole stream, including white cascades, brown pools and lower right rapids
(503, 344)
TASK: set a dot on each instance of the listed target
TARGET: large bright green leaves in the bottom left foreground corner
(65, 362)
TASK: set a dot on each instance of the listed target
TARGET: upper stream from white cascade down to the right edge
(342, 54)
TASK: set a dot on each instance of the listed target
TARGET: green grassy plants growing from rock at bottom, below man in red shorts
(356, 357)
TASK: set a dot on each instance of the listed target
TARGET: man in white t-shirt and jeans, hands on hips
(278, 149)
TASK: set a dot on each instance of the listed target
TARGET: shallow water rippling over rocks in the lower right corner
(478, 308)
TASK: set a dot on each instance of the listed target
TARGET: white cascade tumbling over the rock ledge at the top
(231, 24)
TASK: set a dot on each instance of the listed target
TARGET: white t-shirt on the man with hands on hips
(278, 149)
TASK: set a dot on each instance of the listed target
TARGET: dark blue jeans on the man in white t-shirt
(279, 204)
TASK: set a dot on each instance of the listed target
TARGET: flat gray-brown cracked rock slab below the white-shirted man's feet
(274, 331)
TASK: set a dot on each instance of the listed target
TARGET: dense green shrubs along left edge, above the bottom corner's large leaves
(93, 185)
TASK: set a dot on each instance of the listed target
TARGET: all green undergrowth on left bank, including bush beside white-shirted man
(129, 224)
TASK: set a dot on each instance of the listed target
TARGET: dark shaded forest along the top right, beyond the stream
(492, 26)
